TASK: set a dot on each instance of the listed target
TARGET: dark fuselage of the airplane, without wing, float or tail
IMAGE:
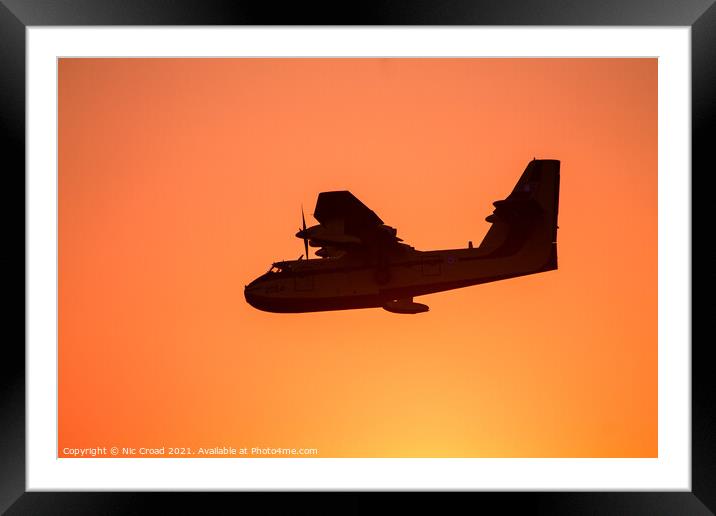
(340, 284)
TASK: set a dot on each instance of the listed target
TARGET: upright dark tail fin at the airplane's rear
(526, 221)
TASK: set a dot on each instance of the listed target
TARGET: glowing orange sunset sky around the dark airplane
(180, 180)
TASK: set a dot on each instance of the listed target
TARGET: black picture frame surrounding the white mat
(17, 15)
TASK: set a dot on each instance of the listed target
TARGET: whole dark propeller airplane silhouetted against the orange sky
(363, 264)
